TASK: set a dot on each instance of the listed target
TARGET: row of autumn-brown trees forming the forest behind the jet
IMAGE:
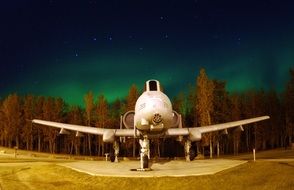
(206, 102)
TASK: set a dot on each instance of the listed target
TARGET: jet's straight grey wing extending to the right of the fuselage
(195, 133)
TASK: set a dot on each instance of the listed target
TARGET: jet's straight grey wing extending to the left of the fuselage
(108, 134)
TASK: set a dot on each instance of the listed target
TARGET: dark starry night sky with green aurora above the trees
(66, 48)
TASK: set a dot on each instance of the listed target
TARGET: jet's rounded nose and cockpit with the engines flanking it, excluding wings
(153, 111)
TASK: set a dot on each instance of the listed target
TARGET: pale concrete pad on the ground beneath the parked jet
(159, 169)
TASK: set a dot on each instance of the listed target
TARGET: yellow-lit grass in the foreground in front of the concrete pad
(253, 175)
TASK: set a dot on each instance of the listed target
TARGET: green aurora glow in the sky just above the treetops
(113, 74)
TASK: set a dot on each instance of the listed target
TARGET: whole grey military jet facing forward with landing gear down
(153, 118)
